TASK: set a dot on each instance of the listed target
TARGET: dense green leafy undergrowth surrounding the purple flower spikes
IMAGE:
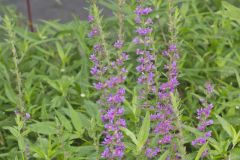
(57, 87)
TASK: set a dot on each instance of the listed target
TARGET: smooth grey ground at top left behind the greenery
(53, 9)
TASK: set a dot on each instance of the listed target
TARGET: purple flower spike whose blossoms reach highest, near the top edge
(145, 59)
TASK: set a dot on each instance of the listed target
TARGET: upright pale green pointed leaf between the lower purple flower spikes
(144, 132)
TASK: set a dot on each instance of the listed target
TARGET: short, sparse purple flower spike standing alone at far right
(204, 121)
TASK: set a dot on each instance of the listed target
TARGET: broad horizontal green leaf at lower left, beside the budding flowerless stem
(46, 127)
